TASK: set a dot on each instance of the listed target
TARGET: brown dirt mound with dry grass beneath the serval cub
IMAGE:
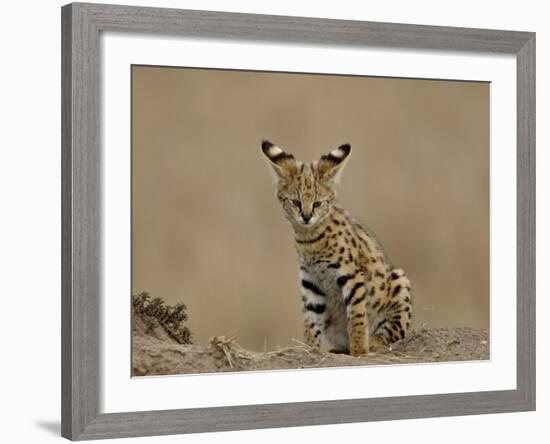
(156, 352)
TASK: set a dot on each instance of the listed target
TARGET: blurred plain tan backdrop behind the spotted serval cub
(208, 231)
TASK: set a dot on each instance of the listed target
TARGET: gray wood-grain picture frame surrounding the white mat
(81, 167)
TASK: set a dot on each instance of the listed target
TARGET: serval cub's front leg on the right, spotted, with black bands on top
(354, 293)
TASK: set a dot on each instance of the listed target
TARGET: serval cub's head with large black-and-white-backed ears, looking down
(306, 191)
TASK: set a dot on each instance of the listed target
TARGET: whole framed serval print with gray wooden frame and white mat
(278, 221)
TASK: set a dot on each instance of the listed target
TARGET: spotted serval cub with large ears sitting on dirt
(352, 296)
